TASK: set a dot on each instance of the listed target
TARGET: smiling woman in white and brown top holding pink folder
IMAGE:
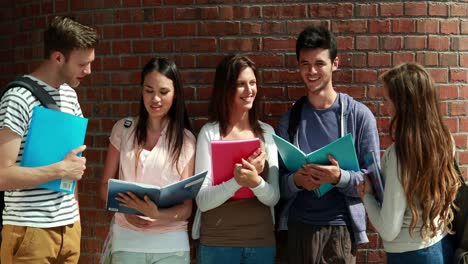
(236, 230)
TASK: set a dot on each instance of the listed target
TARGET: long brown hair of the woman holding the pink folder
(224, 89)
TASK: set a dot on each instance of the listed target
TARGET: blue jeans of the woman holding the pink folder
(235, 255)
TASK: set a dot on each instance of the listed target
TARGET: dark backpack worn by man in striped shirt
(46, 100)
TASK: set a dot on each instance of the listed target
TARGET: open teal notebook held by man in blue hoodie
(341, 149)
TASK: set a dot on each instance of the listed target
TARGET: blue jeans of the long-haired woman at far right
(439, 253)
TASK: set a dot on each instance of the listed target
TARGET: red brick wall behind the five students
(372, 36)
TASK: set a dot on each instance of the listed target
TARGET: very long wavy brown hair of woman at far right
(424, 148)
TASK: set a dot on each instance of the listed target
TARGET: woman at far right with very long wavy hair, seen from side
(418, 168)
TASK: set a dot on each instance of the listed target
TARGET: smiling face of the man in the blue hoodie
(316, 69)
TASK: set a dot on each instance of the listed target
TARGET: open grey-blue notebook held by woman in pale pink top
(164, 197)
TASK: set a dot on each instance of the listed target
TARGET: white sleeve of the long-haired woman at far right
(388, 219)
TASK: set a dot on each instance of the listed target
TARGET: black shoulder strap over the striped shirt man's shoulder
(36, 89)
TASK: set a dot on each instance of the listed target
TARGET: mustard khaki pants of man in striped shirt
(28, 245)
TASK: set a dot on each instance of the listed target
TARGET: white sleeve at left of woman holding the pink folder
(210, 196)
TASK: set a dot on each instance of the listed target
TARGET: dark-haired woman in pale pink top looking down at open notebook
(156, 148)
